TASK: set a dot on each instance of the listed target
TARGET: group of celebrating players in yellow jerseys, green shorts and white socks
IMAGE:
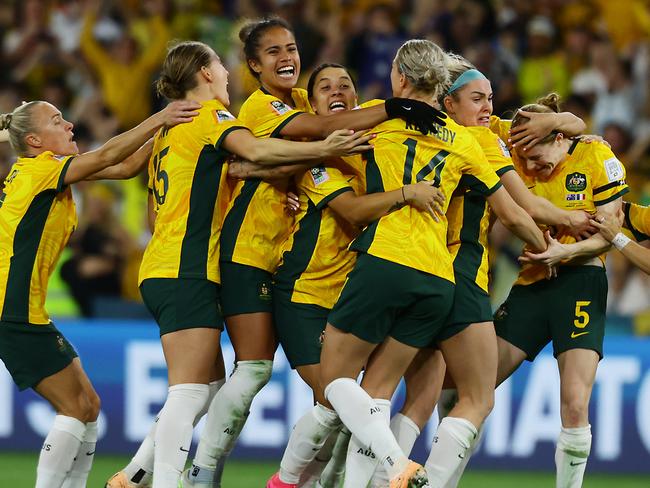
(355, 235)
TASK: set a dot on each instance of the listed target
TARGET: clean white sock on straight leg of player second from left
(173, 435)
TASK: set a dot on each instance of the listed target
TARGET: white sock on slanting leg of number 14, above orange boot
(363, 417)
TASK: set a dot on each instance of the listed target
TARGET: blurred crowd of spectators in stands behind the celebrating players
(96, 60)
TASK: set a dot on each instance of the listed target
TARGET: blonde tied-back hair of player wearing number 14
(424, 65)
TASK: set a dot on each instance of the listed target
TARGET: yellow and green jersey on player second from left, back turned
(187, 176)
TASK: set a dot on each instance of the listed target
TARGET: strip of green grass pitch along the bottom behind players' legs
(18, 470)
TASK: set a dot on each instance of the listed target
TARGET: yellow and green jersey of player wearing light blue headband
(468, 215)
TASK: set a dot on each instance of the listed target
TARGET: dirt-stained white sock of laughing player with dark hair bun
(228, 412)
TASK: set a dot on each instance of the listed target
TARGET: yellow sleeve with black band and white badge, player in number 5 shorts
(607, 175)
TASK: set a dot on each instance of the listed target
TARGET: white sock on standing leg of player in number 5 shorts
(571, 455)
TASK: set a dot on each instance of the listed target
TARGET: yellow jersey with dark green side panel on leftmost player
(37, 216)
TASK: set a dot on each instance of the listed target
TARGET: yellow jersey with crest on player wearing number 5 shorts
(590, 176)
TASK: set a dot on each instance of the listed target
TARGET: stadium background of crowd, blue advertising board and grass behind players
(96, 60)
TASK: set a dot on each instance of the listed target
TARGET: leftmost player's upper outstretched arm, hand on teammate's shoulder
(123, 145)
